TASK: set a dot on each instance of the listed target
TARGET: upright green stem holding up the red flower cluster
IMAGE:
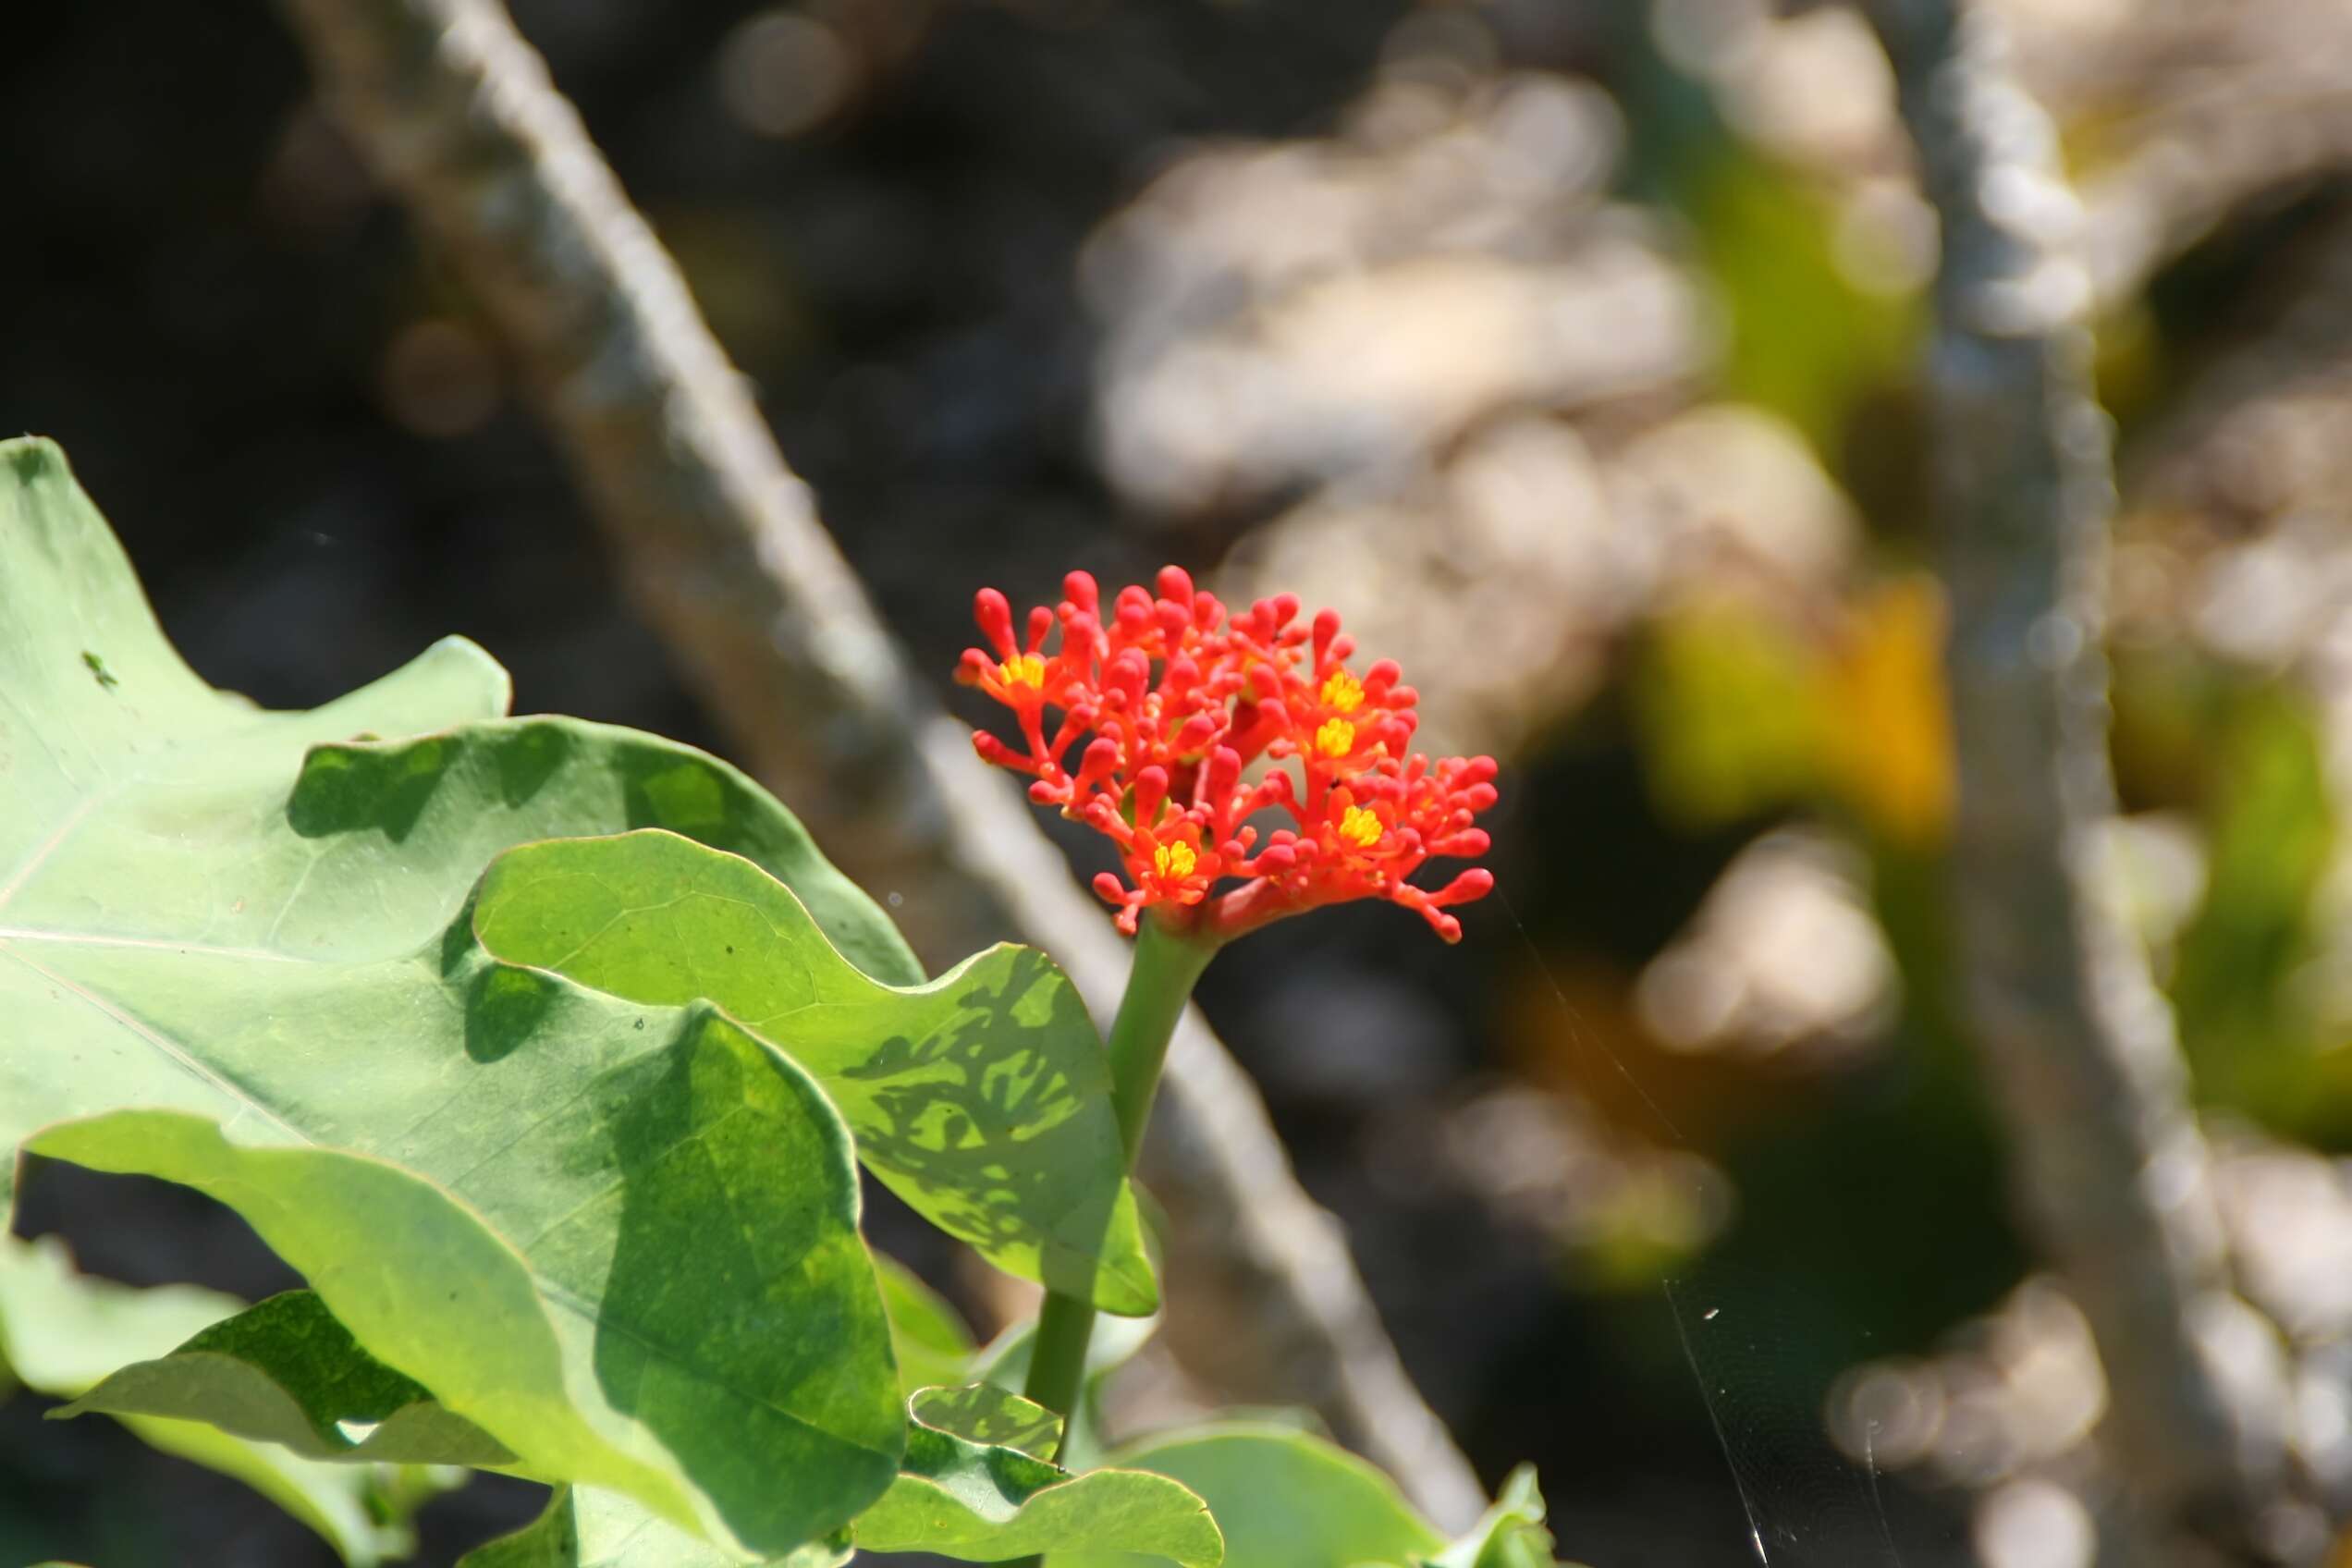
(1158, 989)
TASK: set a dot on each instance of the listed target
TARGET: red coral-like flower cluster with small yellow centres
(1182, 699)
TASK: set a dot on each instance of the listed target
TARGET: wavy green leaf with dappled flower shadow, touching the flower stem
(982, 1099)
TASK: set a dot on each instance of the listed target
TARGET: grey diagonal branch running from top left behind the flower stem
(730, 563)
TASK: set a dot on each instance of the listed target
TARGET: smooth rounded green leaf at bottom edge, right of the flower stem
(1283, 1499)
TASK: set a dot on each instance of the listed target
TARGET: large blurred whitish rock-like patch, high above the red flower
(1295, 314)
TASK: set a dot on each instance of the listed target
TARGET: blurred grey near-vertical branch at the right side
(2109, 1165)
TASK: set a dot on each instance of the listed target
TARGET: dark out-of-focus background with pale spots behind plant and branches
(1572, 351)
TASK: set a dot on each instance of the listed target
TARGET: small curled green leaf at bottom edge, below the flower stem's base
(984, 1503)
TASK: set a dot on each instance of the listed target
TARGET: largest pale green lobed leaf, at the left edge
(234, 953)
